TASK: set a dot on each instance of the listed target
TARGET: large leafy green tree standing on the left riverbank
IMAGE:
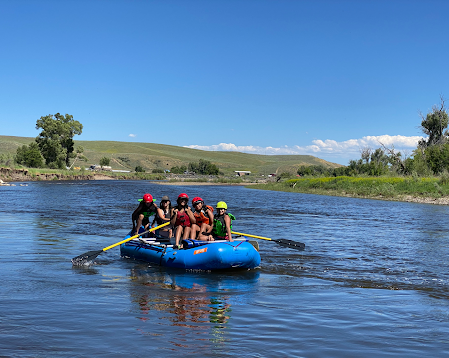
(56, 138)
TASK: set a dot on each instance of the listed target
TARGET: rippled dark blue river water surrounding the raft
(372, 281)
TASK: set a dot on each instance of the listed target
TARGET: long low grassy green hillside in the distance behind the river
(127, 155)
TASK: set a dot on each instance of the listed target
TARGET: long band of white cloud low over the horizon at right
(347, 149)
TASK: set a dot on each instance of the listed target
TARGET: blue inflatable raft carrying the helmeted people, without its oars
(195, 255)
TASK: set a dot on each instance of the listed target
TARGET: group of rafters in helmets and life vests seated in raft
(198, 222)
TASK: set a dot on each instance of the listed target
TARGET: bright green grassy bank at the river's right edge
(415, 189)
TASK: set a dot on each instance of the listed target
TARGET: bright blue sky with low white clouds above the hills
(324, 78)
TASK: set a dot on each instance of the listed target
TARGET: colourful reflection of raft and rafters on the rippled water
(198, 304)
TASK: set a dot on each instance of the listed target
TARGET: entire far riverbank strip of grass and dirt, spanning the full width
(434, 190)
